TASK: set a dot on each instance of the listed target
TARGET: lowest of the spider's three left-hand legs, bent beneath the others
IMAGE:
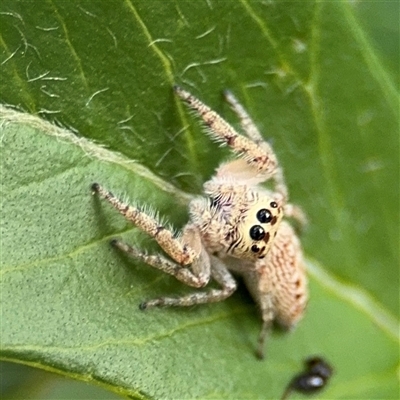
(220, 274)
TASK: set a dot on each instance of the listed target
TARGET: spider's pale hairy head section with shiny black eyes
(243, 224)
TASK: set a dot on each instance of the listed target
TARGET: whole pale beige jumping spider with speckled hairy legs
(237, 226)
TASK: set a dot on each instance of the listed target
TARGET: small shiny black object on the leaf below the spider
(313, 379)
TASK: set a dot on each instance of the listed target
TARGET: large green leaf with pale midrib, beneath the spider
(103, 71)
